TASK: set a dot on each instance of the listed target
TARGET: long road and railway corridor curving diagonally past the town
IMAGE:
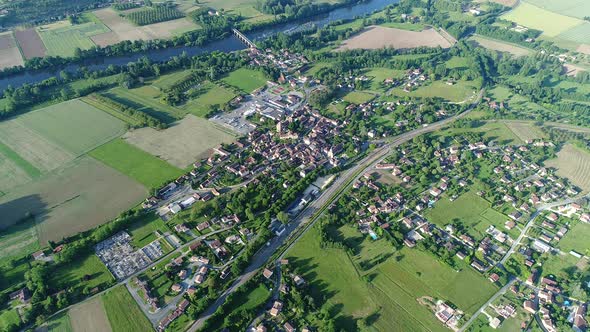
(326, 197)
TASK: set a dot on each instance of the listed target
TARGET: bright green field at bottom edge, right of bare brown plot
(130, 319)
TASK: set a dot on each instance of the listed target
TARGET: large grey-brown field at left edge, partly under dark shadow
(75, 198)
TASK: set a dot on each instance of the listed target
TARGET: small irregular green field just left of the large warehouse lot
(209, 94)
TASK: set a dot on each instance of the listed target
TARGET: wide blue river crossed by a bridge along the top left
(228, 44)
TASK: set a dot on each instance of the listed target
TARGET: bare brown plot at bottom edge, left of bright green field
(90, 316)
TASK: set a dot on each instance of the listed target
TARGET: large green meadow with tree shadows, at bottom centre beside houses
(398, 279)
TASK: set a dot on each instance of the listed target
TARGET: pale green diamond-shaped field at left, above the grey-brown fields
(73, 125)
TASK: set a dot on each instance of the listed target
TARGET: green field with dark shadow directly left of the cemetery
(72, 274)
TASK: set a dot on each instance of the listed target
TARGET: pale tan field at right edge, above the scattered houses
(573, 163)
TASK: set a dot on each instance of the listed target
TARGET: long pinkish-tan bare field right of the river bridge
(375, 37)
